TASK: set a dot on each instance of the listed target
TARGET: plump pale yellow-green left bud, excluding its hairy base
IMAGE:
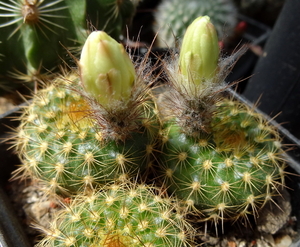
(106, 70)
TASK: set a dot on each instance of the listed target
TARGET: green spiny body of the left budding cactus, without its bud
(63, 146)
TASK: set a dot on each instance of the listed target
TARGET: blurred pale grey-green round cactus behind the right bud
(173, 17)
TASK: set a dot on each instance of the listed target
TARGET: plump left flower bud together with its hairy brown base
(117, 95)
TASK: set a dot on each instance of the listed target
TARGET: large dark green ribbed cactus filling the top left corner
(36, 35)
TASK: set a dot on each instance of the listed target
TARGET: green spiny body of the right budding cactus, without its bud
(231, 171)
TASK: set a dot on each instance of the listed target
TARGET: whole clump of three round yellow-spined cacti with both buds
(95, 130)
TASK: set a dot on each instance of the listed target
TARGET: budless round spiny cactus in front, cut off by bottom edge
(120, 215)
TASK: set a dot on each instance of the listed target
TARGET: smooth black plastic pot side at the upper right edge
(277, 74)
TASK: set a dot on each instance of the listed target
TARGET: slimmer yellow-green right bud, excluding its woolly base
(200, 50)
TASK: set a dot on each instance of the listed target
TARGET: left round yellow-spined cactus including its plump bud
(89, 128)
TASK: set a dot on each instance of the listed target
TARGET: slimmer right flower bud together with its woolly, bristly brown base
(196, 80)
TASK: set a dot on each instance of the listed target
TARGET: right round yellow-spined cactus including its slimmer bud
(218, 155)
